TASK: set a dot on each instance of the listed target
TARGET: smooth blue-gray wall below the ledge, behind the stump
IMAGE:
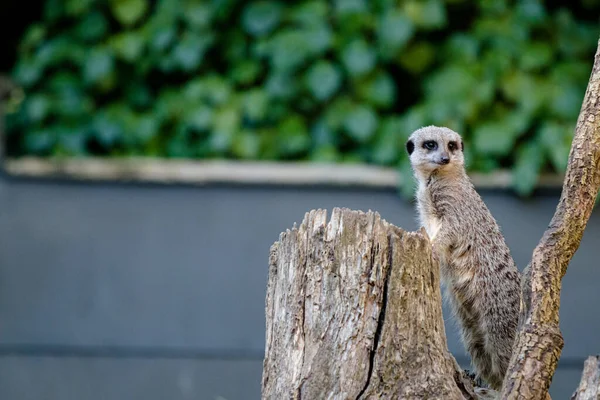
(113, 291)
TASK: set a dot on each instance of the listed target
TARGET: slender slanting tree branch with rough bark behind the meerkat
(539, 342)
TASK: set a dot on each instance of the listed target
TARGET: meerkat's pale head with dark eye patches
(435, 148)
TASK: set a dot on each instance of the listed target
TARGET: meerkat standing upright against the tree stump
(482, 283)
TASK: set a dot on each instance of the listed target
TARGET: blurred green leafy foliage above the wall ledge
(332, 81)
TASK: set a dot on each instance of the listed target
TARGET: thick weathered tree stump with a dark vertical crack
(354, 311)
